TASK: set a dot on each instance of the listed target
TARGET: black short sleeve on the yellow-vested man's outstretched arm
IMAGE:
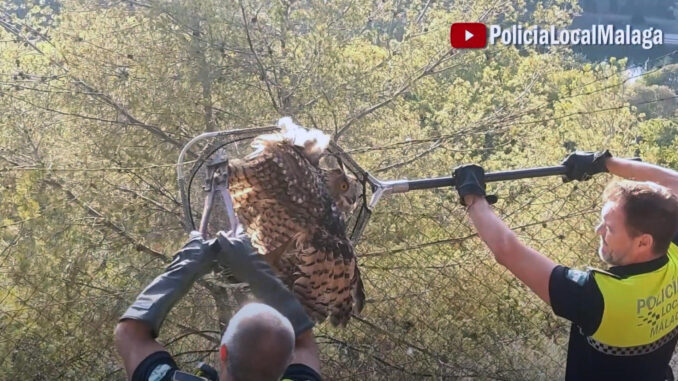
(576, 297)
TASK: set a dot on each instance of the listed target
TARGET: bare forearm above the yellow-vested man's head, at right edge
(640, 171)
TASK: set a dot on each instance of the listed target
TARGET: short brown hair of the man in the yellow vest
(649, 208)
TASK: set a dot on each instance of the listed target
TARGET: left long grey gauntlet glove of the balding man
(194, 260)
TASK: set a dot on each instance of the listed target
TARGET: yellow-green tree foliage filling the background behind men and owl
(97, 98)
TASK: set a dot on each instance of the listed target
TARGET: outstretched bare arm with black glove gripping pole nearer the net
(527, 264)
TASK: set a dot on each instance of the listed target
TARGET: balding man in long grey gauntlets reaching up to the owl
(263, 341)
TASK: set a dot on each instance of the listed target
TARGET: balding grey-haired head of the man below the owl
(257, 345)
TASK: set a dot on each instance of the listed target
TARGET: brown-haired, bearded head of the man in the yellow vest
(638, 221)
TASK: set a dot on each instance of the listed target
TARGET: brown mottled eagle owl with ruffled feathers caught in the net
(293, 210)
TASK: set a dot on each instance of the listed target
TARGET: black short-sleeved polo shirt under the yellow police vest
(575, 296)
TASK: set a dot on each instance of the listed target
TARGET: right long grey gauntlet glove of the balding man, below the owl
(245, 263)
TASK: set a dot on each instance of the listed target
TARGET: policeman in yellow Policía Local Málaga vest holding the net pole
(624, 319)
